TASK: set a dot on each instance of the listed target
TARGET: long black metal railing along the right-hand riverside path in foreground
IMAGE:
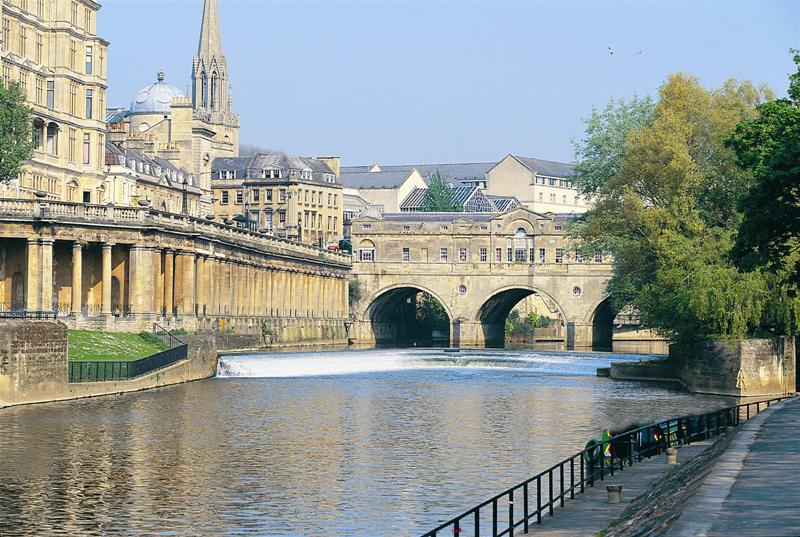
(524, 505)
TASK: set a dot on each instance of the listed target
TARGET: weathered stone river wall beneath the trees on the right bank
(744, 368)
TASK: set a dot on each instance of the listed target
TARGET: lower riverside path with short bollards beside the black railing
(590, 512)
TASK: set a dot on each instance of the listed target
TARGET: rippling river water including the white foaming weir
(362, 443)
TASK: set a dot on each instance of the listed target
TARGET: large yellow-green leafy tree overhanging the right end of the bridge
(668, 215)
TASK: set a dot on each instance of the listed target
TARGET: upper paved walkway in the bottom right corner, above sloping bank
(755, 488)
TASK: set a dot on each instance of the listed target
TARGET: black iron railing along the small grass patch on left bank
(110, 371)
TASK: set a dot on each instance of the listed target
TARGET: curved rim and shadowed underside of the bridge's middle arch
(493, 310)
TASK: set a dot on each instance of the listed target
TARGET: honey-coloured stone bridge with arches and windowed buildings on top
(478, 267)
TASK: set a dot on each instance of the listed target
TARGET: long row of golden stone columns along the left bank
(157, 282)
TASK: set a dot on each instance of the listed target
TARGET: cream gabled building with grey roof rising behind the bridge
(540, 185)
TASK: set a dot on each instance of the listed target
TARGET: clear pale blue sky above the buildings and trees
(430, 82)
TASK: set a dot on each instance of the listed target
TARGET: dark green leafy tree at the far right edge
(768, 146)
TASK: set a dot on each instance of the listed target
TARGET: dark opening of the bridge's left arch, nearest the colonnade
(409, 316)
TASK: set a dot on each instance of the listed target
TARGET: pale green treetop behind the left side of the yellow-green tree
(599, 154)
